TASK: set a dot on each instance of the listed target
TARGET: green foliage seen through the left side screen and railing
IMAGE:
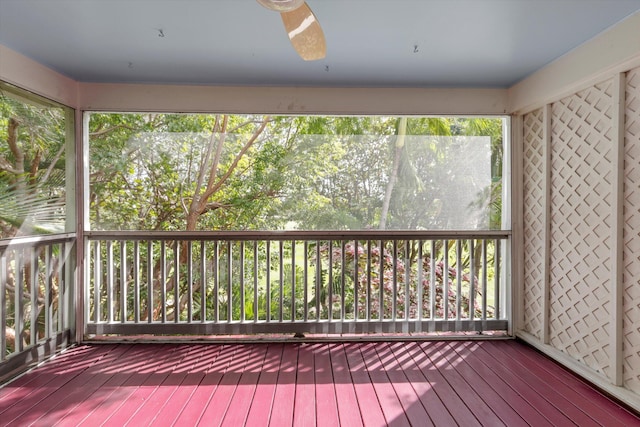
(32, 201)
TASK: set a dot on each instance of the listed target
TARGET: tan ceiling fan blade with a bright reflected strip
(305, 33)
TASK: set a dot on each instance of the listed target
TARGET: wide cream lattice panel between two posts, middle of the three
(581, 226)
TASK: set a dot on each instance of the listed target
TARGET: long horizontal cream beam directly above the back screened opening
(292, 100)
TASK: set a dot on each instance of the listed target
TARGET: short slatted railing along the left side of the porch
(36, 298)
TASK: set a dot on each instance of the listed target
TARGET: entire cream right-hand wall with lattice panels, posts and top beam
(579, 278)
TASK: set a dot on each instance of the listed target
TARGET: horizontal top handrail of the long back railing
(299, 235)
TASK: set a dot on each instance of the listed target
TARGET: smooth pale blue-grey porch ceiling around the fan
(375, 43)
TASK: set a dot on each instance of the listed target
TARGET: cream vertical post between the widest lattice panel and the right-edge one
(617, 191)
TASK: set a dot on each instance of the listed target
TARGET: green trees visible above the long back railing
(149, 171)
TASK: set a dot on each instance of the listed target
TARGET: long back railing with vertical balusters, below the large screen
(295, 282)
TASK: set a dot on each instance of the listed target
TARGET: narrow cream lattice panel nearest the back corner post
(533, 167)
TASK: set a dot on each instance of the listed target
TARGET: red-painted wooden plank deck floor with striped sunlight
(400, 383)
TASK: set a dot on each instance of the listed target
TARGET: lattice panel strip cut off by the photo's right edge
(631, 233)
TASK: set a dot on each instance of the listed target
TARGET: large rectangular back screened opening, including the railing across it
(296, 225)
